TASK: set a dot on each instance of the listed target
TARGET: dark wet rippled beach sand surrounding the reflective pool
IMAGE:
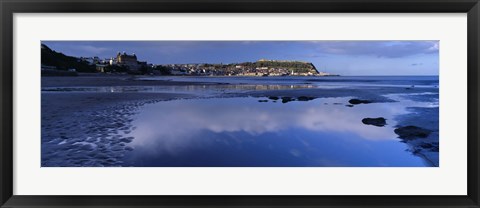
(89, 128)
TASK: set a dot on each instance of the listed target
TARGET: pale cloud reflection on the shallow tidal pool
(174, 125)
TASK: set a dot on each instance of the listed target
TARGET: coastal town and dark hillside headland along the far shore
(57, 63)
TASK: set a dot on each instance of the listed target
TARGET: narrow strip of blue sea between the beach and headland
(227, 84)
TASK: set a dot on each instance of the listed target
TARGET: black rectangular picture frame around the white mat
(10, 7)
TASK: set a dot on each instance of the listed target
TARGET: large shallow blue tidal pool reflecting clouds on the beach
(261, 132)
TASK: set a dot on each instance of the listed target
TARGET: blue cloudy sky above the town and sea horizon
(336, 57)
